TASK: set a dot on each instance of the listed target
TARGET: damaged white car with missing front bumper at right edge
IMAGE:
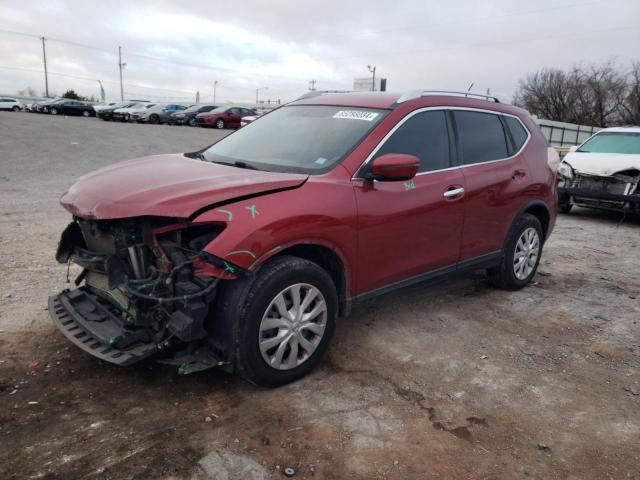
(603, 172)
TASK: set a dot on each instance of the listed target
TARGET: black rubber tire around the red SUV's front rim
(243, 303)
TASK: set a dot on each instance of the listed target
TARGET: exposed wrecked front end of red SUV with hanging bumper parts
(142, 290)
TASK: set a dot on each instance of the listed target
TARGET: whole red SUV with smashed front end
(243, 255)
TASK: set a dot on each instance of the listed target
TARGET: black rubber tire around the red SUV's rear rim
(504, 276)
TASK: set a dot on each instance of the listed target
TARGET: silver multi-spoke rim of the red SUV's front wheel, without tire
(292, 326)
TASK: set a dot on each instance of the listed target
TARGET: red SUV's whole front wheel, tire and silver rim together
(285, 320)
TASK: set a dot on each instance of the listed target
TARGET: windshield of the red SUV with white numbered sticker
(305, 138)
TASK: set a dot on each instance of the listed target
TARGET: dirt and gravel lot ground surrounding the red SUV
(448, 381)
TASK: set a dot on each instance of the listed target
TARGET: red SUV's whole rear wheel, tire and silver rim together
(521, 256)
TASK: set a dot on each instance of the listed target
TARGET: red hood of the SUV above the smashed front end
(167, 186)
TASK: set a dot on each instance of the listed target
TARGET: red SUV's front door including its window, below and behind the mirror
(406, 229)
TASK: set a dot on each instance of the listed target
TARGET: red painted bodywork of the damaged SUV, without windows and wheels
(383, 232)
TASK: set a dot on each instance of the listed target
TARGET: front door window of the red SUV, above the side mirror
(424, 135)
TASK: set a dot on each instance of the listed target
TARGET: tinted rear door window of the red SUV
(481, 135)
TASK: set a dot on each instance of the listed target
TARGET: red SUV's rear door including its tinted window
(495, 178)
